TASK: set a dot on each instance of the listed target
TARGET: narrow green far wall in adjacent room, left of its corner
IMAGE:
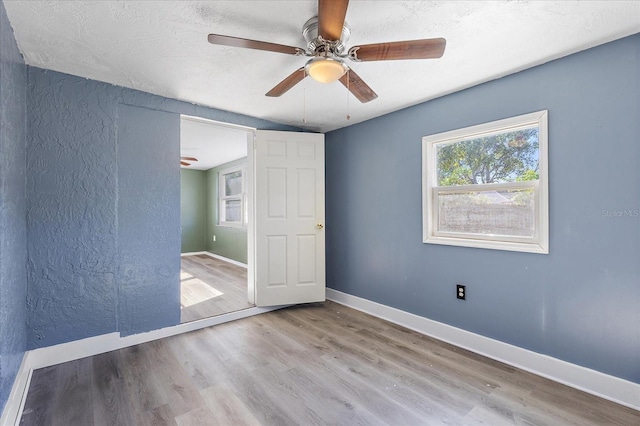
(193, 210)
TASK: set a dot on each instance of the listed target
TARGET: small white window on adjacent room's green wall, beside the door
(232, 197)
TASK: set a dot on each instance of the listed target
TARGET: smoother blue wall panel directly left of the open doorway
(148, 250)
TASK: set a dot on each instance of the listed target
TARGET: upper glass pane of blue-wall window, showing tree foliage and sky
(504, 157)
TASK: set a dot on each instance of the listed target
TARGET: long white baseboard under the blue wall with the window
(594, 382)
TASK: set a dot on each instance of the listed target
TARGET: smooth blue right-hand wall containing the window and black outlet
(581, 302)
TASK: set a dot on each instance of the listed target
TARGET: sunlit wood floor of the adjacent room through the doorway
(210, 287)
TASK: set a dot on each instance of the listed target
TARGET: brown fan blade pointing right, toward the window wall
(410, 49)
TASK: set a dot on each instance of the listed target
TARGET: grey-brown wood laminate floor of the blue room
(306, 365)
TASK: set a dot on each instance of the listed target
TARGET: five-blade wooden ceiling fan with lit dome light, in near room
(326, 35)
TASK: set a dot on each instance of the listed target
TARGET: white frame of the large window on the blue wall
(539, 243)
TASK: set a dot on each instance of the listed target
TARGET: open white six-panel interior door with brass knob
(289, 218)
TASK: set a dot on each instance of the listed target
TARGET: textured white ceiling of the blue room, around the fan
(161, 47)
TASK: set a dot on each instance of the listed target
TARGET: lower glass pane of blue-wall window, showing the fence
(508, 213)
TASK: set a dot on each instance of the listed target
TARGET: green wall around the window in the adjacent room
(230, 242)
